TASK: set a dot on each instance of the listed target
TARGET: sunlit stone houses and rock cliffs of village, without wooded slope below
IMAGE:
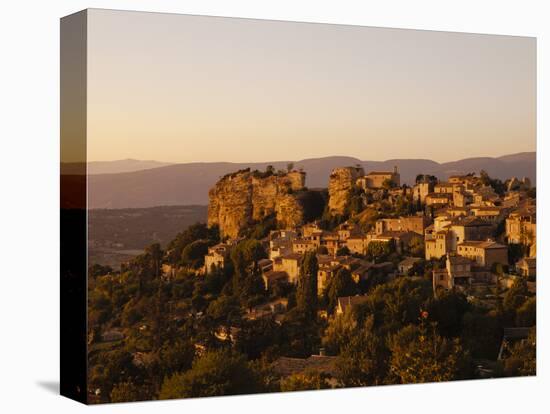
(463, 223)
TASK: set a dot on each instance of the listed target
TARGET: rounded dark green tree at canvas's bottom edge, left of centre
(216, 373)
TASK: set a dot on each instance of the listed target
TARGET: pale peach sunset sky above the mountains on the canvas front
(180, 88)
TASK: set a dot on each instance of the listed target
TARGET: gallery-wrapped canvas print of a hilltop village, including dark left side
(253, 206)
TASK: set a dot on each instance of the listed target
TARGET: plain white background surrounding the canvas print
(29, 245)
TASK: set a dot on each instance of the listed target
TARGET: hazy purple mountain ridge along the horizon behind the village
(187, 184)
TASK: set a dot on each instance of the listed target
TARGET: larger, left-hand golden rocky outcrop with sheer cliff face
(244, 197)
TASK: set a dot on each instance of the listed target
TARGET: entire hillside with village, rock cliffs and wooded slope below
(291, 288)
